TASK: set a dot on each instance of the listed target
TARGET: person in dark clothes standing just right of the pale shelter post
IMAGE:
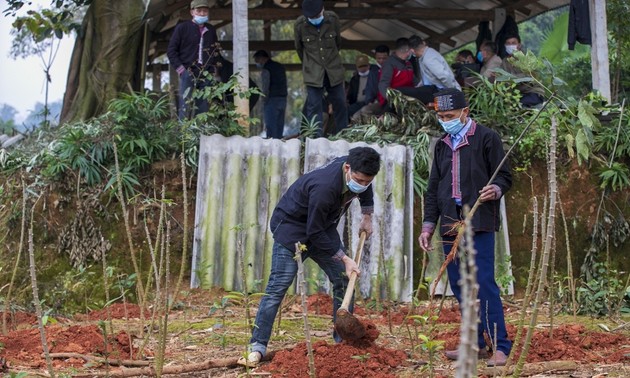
(274, 88)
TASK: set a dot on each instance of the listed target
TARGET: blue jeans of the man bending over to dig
(283, 272)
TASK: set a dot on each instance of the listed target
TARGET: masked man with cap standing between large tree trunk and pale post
(192, 52)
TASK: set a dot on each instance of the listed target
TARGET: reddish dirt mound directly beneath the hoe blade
(360, 358)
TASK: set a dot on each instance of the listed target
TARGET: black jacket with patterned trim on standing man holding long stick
(477, 156)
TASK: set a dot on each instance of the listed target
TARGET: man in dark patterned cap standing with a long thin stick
(464, 160)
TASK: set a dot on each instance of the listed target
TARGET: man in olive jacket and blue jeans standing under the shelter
(317, 41)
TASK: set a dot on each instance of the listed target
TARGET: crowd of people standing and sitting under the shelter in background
(412, 67)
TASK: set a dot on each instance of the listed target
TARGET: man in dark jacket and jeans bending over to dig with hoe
(309, 212)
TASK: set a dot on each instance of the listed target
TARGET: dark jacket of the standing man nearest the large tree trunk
(183, 48)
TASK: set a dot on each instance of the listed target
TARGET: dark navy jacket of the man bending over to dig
(313, 205)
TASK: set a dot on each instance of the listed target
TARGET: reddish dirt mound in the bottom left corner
(24, 347)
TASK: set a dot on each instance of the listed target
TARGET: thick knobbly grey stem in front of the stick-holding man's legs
(466, 365)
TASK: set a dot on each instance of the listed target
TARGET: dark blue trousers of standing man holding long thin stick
(491, 308)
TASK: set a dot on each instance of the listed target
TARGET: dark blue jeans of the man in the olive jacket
(315, 105)
